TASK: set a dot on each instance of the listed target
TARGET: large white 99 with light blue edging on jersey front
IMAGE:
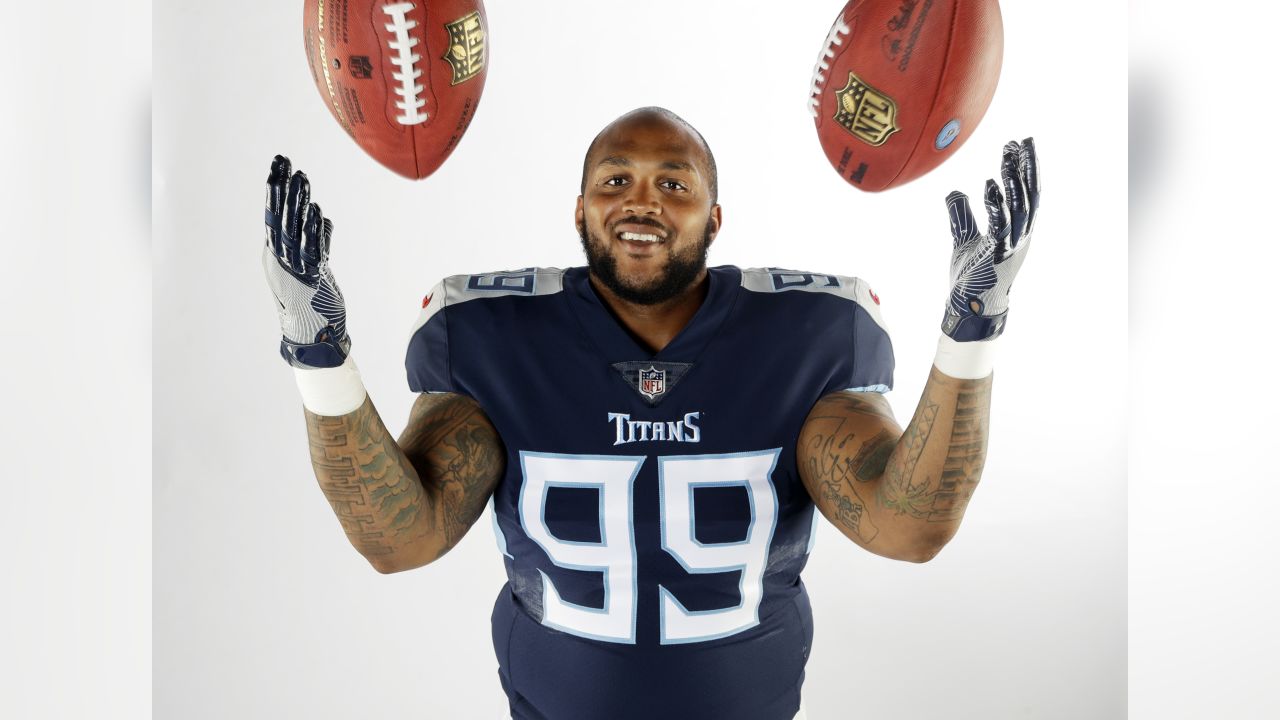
(615, 555)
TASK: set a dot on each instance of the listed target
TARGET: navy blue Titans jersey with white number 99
(652, 518)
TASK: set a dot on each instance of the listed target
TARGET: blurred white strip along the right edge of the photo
(1205, 578)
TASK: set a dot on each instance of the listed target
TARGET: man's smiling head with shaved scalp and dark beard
(646, 215)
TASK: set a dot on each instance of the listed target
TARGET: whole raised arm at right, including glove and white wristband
(903, 494)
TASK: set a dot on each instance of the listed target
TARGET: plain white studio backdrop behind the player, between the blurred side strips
(263, 609)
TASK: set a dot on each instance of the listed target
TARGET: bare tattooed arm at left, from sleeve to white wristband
(405, 505)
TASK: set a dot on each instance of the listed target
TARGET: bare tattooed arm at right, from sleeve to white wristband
(898, 494)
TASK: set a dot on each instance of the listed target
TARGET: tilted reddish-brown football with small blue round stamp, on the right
(900, 85)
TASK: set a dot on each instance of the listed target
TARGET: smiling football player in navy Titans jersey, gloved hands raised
(653, 436)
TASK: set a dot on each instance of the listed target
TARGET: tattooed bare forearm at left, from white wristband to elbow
(363, 475)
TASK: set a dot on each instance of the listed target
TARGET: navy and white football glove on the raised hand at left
(296, 259)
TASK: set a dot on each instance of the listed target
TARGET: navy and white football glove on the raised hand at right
(984, 266)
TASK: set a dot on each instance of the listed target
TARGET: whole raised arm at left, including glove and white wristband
(403, 505)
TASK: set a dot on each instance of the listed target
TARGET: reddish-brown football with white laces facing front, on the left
(403, 79)
